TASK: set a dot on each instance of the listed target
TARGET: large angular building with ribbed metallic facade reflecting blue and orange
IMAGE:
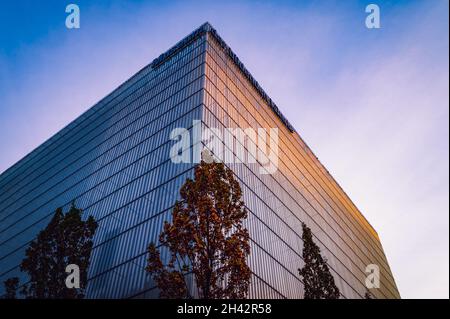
(114, 161)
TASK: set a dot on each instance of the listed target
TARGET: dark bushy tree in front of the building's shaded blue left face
(66, 240)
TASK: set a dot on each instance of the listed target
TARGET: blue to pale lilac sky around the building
(373, 104)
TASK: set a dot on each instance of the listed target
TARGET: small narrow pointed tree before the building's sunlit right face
(317, 279)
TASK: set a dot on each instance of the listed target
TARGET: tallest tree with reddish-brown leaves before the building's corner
(206, 239)
